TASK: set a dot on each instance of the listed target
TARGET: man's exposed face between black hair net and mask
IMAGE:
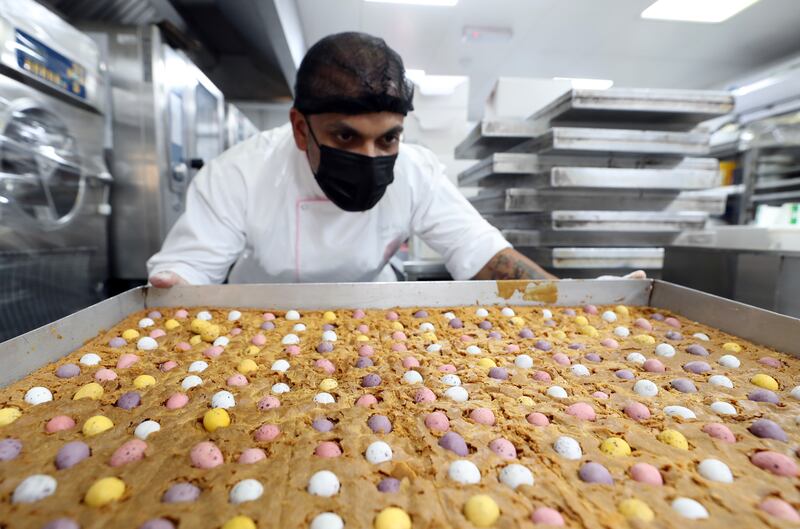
(375, 134)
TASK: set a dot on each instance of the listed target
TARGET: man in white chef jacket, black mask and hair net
(331, 196)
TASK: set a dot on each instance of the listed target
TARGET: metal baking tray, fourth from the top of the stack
(523, 200)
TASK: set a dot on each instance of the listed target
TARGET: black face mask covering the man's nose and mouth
(354, 182)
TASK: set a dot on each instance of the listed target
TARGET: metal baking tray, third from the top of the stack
(532, 170)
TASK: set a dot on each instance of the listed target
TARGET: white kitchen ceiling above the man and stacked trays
(567, 38)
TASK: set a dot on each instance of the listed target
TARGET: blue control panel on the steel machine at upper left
(44, 63)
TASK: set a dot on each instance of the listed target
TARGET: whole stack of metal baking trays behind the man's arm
(598, 179)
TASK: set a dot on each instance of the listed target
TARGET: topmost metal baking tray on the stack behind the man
(636, 108)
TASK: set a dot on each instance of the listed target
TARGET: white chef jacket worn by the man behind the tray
(258, 209)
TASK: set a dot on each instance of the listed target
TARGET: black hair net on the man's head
(352, 73)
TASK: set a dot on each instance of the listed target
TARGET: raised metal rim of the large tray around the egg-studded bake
(24, 354)
